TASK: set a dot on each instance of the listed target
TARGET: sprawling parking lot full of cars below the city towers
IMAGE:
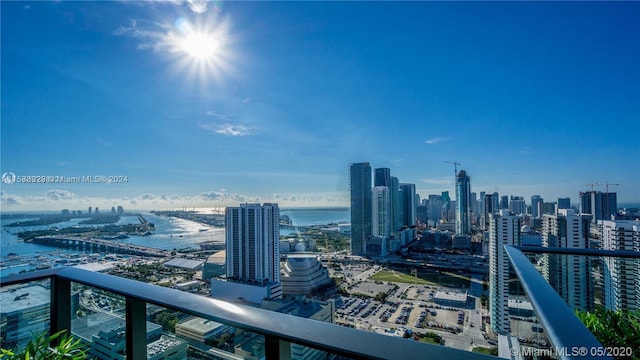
(410, 308)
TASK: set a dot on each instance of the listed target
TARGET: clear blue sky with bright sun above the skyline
(530, 98)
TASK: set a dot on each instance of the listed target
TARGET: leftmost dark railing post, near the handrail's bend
(60, 306)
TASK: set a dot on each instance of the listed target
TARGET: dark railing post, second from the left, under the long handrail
(136, 331)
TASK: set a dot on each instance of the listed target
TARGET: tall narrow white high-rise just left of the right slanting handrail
(504, 229)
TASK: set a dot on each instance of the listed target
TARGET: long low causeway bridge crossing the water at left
(100, 246)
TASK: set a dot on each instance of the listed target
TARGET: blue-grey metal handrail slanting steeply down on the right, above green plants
(564, 330)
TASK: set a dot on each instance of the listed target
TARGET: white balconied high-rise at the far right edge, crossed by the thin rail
(620, 274)
